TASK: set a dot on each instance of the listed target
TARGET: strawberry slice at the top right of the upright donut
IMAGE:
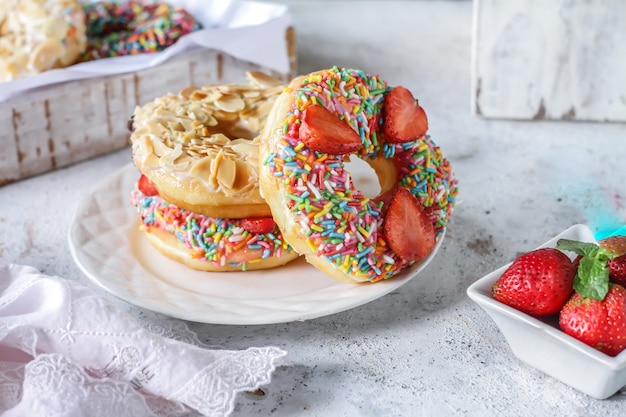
(405, 119)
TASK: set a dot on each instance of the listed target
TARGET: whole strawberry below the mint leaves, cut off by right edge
(598, 323)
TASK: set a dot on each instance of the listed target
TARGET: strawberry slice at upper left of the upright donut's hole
(322, 131)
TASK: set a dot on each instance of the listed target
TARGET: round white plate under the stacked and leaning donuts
(108, 247)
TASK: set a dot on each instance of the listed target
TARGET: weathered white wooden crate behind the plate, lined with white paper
(65, 123)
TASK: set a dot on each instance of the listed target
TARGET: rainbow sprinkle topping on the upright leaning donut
(340, 223)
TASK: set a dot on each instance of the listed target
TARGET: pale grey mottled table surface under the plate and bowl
(424, 349)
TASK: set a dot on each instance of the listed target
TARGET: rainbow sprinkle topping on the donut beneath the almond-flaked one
(210, 239)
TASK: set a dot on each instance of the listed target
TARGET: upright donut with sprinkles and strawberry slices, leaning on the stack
(316, 124)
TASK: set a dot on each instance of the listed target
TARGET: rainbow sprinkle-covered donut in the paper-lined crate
(133, 27)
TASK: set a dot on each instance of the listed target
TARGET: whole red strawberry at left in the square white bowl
(538, 283)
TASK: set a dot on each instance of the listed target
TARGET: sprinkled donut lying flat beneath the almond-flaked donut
(207, 243)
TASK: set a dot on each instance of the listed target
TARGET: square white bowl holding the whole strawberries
(542, 345)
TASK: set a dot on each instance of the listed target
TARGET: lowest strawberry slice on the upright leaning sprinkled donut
(408, 230)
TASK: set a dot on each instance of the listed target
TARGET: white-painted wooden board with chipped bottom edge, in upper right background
(556, 59)
